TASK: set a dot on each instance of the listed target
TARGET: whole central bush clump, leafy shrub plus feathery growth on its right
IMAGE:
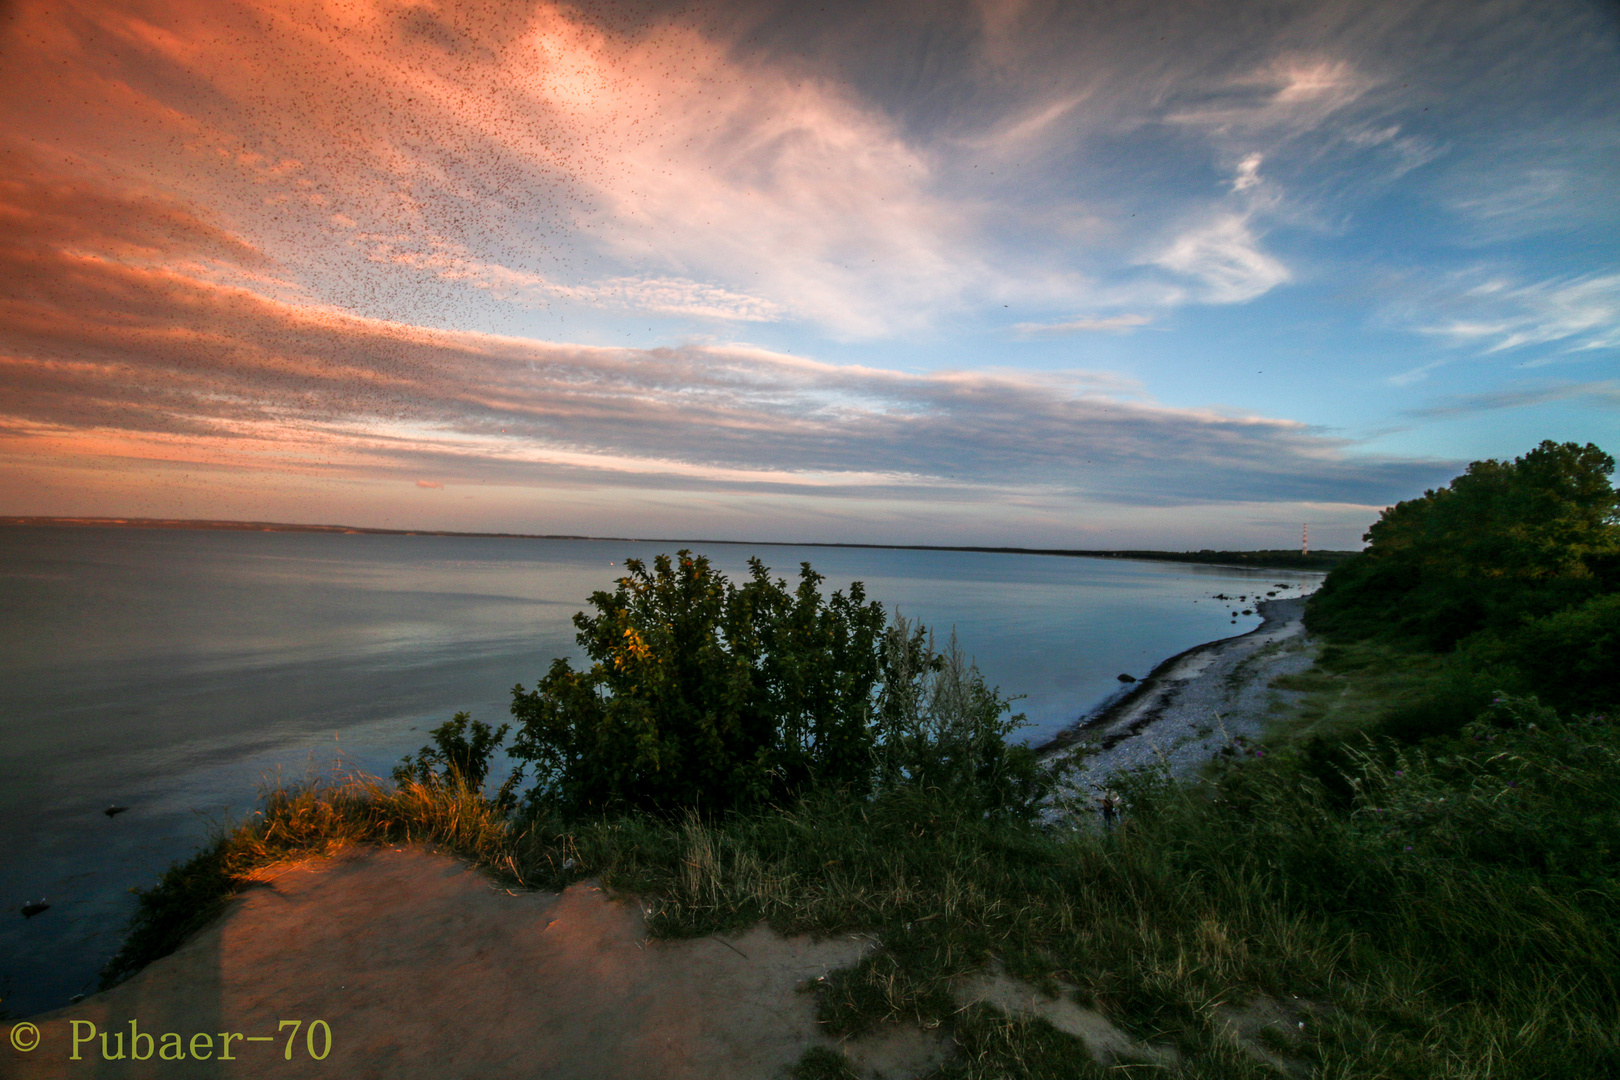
(710, 695)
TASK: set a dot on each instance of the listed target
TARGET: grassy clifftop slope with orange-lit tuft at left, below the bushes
(1428, 909)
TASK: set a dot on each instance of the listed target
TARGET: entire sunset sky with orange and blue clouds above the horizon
(1070, 274)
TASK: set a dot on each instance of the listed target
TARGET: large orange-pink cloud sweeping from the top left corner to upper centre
(516, 134)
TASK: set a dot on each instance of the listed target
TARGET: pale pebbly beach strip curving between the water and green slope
(1198, 705)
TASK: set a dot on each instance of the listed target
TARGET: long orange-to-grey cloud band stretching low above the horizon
(108, 355)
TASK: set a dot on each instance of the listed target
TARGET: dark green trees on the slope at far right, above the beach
(1514, 569)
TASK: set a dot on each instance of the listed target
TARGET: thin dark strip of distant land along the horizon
(1242, 559)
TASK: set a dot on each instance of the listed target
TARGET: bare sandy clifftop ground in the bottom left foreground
(422, 967)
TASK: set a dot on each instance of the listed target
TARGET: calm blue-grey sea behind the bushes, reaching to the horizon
(171, 671)
